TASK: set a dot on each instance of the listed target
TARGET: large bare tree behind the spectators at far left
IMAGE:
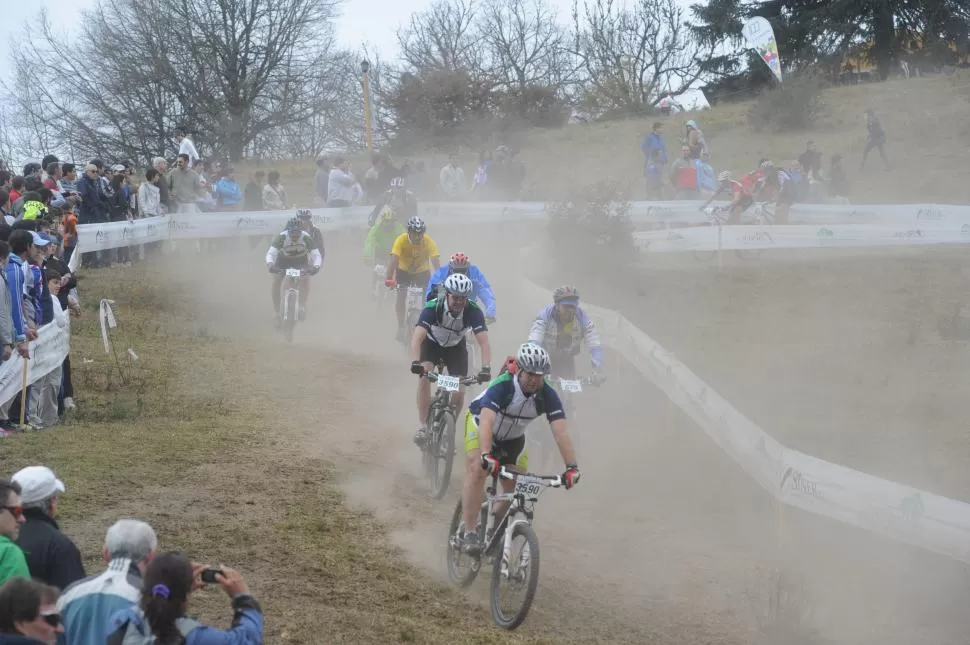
(227, 70)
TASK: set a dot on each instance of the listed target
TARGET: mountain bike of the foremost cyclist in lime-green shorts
(517, 569)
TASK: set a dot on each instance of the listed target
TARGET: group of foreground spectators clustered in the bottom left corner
(140, 598)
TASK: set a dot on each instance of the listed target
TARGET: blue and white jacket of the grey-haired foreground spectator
(87, 605)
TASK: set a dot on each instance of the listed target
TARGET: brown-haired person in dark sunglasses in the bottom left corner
(28, 613)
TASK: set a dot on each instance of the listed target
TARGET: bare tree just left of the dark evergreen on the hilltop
(632, 56)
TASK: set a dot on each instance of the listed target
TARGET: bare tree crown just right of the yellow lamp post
(443, 38)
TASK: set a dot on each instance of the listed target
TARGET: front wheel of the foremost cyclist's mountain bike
(516, 575)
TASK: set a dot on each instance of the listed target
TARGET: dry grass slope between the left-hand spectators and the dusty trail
(192, 442)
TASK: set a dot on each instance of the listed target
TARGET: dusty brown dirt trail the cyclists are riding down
(664, 541)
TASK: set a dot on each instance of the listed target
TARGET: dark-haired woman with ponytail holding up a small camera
(160, 617)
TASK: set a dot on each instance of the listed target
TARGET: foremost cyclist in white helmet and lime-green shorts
(495, 426)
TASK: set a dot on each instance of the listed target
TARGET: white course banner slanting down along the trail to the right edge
(900, 512)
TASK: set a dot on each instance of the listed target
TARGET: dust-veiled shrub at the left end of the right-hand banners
(592, 223)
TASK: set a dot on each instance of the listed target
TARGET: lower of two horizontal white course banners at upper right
(794, 236)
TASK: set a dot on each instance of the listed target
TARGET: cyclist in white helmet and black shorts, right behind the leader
(440, 334)
